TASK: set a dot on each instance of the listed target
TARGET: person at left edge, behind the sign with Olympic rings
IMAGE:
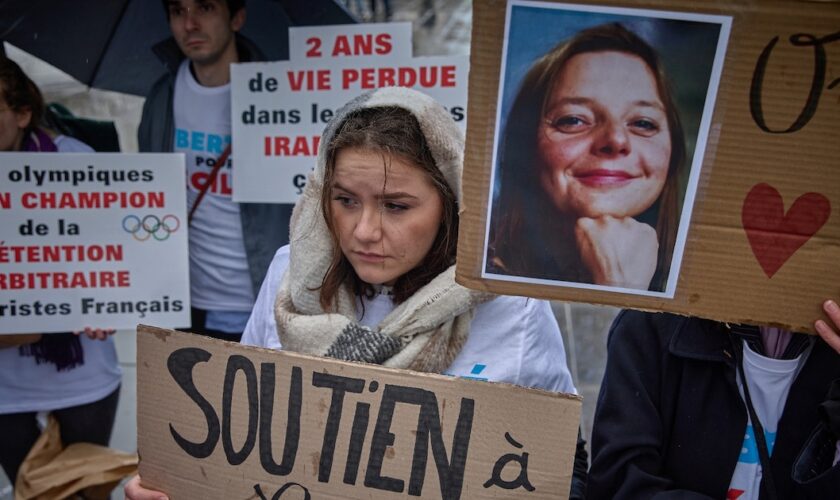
(75, 377)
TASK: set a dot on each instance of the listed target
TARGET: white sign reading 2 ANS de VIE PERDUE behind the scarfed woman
(279, 109)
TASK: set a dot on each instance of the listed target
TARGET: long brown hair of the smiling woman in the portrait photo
(521, 241)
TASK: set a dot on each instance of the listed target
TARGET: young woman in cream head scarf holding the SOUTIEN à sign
(369, 274)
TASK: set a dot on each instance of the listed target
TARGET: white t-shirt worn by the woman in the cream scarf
(512, 339)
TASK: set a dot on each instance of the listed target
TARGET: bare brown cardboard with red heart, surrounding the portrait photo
(764, 239)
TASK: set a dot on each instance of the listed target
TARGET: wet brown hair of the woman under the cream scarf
(393, 132)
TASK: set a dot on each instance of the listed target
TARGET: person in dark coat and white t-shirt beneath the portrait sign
(692, 408)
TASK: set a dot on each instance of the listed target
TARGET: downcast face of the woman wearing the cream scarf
(387, 213)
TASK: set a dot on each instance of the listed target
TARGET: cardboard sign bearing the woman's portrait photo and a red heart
(763, 239)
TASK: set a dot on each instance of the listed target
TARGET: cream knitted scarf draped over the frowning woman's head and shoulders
(424, 333)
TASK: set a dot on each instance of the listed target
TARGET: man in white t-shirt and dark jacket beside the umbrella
(188, 110)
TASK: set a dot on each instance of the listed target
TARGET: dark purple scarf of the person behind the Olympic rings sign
(64, 350)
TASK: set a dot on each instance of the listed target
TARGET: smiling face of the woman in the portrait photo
(604, 145)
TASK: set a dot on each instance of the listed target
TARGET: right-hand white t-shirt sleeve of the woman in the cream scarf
(543, 362)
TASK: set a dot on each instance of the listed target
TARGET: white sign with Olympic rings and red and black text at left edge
(95, 240)
